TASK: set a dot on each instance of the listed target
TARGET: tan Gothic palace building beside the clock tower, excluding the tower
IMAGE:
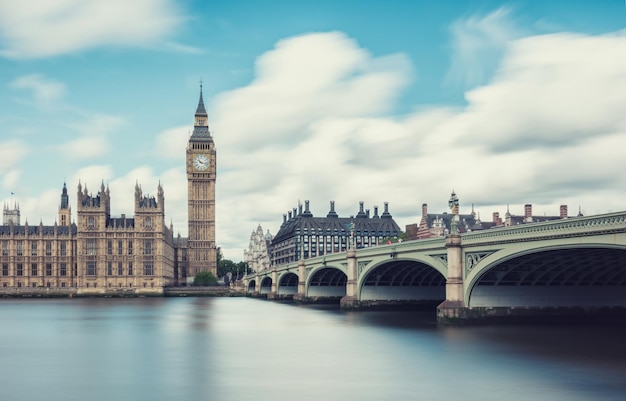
(95, 255)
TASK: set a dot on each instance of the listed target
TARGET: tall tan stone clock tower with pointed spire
(201, 172)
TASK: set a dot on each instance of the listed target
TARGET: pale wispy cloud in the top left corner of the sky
(36, 28)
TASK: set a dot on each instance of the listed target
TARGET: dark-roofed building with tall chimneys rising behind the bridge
(302, 235)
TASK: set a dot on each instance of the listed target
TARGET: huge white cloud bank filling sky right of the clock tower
(549, 128)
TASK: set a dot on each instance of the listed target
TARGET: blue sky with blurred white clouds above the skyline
(403, 101)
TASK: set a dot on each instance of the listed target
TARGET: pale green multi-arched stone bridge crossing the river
(571, 265)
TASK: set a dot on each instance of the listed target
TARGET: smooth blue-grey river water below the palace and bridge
(189, 349)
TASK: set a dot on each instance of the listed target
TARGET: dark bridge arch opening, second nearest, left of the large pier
(402, 279)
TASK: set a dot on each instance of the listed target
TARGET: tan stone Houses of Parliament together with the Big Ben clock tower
(100, 254)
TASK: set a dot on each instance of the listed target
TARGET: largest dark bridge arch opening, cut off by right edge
(573, 275)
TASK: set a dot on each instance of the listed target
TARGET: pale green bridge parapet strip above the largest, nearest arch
(574, 226)
